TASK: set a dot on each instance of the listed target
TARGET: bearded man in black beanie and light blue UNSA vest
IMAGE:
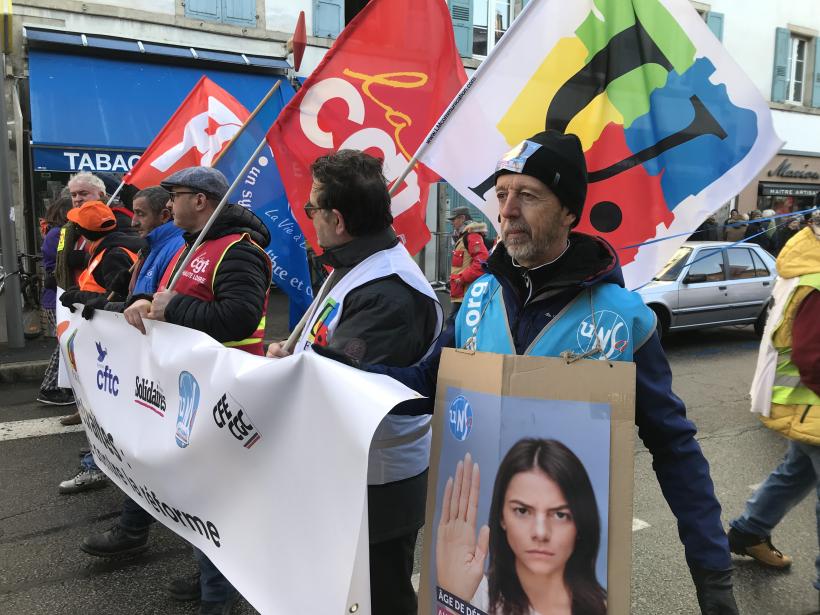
(540, 284)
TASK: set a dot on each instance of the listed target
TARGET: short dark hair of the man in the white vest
(353, 183)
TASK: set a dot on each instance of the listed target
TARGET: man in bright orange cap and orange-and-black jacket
(112, 254)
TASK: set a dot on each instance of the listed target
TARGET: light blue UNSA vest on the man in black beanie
(615, 318)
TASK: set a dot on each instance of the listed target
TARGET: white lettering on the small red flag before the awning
(207, 132)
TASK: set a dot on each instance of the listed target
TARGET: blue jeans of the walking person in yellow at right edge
(792, 481)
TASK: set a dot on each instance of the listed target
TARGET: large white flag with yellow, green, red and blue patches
(670, 125)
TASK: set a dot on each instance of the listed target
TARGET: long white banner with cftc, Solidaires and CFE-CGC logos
(260, 463)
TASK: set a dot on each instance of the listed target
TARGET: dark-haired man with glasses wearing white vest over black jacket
(376, 306)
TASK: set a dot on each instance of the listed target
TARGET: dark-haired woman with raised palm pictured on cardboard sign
(542, 537)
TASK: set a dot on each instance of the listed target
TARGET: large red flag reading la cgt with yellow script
(380, 89)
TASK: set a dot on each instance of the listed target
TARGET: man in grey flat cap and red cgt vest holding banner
(223, 291)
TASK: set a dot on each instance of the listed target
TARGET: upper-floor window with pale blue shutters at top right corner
(793, 81)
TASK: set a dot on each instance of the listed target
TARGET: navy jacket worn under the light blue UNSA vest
(532, 298)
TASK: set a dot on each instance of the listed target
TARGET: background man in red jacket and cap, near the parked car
(469, 253)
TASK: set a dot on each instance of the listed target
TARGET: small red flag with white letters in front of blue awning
(198, 130)
